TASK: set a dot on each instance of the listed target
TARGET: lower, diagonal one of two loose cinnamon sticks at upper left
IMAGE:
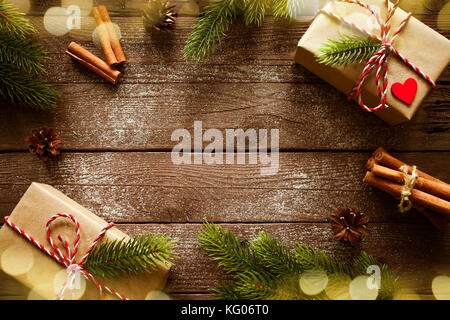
(93, 62)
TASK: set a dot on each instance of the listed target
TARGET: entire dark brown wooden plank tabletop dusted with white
(116, 159)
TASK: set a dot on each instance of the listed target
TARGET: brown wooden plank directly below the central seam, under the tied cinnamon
(148, 187)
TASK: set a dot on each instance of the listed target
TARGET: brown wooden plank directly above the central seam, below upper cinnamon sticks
(309, 117)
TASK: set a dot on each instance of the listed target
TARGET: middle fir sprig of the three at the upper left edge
(24, 54)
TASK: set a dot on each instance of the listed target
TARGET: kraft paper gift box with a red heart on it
(426, 53)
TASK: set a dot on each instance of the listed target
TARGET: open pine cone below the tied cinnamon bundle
(349, 225)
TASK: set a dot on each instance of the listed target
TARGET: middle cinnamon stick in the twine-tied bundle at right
(438, 189)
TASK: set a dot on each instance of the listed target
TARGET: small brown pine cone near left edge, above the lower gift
(44, 142)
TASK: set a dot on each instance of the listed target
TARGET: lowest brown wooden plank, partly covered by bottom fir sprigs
(414, 253)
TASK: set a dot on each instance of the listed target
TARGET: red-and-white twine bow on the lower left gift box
(67, 257)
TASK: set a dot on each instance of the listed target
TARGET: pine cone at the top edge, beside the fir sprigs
(159, 15)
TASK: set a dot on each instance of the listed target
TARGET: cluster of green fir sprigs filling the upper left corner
(21, 67)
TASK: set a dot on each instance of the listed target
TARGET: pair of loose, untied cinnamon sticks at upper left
(110, 44)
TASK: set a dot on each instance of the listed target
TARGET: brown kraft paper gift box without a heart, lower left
(37, 270)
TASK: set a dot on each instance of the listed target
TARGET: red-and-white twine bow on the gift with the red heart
(379, 60)
